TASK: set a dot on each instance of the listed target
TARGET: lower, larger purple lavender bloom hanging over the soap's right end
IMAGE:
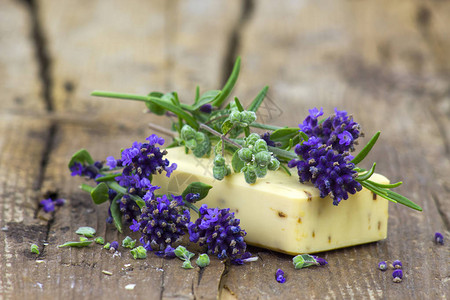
(331, 172)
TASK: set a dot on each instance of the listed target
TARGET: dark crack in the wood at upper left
(42, 55)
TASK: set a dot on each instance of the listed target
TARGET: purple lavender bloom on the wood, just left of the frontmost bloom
(162, 222)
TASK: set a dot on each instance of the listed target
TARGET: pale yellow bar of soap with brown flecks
(280, 213)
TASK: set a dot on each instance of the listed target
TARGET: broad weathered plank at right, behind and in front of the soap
(313, 50)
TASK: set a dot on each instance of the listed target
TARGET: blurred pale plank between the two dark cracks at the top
(133, 47)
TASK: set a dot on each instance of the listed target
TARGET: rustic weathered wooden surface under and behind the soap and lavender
(386, 62)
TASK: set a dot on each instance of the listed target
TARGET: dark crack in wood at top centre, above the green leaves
(234, 42)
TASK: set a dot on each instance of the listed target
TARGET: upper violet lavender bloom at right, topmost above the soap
(338, 131)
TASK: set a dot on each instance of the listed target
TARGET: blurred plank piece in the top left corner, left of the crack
(19, 67)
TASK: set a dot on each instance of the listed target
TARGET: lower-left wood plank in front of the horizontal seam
(22, 144)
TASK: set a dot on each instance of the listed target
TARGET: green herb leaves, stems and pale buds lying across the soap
(212, 125)
